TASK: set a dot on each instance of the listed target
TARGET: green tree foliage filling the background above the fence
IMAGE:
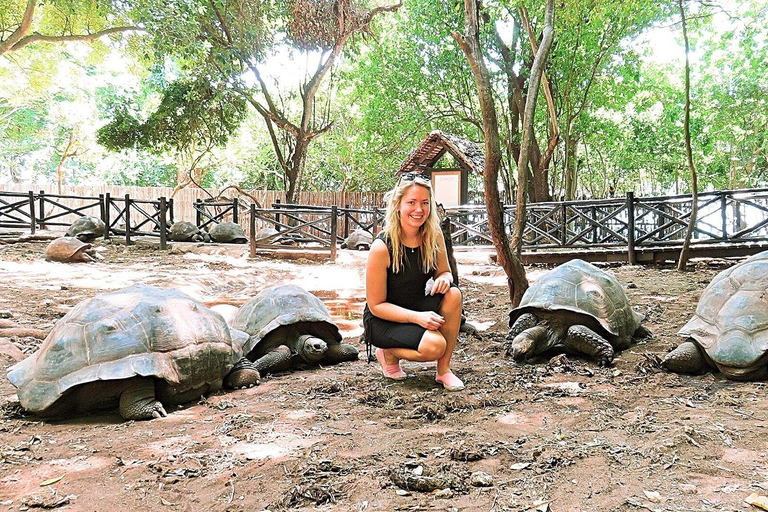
(625, 105)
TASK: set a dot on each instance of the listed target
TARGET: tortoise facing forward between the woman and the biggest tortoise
(290, 327)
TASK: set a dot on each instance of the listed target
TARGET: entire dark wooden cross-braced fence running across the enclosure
(629, 225)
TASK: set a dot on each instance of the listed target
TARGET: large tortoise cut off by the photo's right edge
(729, 331)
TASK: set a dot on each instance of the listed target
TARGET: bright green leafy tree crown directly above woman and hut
(410, 82)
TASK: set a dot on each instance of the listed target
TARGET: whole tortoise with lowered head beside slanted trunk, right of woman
(577, 307)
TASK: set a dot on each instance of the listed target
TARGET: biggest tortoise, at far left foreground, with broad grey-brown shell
(137, 349)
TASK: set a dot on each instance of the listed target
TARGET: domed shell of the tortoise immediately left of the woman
(283, 306)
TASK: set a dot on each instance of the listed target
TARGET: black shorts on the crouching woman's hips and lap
(385, 334)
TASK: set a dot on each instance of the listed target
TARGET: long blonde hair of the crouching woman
(429, 231)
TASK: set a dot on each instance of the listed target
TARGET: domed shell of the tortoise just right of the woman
(580, 288)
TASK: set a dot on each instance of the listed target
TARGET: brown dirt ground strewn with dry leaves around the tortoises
(559, 435)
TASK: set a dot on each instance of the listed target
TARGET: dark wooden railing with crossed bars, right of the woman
(734, 217)
